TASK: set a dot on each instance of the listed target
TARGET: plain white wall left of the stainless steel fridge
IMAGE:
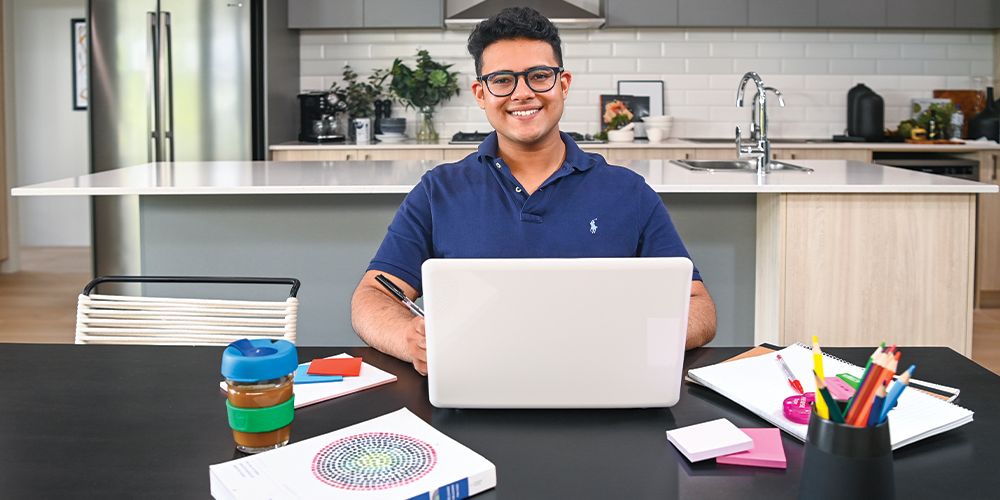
(50, 138)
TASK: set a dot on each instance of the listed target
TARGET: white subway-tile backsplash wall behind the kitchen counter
(700, 68)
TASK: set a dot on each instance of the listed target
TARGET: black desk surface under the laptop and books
(130, 421)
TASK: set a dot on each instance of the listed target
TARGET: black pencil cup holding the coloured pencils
(844, 461)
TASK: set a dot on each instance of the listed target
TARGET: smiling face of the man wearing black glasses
(525, 117)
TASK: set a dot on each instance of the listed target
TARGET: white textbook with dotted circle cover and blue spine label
(397, 455)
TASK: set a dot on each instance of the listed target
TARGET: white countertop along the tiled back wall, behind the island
(411, 144)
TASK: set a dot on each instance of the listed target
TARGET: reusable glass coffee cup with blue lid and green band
(260, 402)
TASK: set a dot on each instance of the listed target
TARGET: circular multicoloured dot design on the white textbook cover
(373, 461)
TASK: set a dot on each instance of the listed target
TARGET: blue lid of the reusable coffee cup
(259, 359)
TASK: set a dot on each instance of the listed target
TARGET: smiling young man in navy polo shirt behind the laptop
(528, 191)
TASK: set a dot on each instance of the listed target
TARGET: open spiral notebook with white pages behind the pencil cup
(758, 384)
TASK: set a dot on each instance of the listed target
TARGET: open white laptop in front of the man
(556, 333)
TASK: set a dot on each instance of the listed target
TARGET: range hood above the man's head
(563, 14)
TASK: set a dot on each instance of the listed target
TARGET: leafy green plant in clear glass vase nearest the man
(423, 88)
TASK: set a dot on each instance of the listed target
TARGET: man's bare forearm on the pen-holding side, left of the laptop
(381, 322)
